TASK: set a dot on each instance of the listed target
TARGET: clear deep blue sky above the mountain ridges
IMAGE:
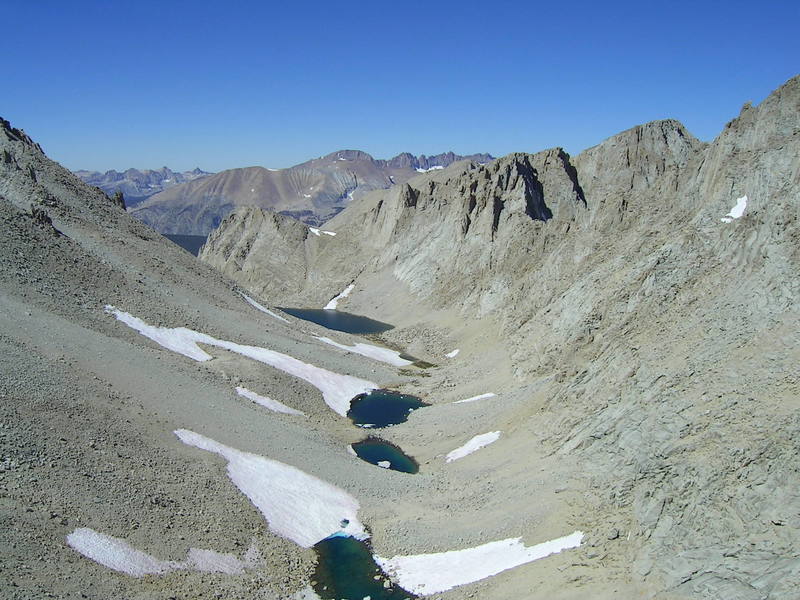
(118, 84)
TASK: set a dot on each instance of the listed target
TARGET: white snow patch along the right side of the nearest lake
(427, 574)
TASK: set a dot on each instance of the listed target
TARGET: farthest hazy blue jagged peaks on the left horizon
(137, 186)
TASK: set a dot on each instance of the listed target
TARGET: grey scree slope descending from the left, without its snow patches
(89, 406)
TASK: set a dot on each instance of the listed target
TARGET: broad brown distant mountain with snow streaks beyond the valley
(312, 192)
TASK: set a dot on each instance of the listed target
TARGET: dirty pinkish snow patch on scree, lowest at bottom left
(118, 555)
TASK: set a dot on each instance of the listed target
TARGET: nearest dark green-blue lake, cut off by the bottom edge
(346, 569)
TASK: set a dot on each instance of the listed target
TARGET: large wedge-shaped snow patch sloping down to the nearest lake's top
(297, 506)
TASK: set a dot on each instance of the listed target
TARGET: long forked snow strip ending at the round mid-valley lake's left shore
(337, 390)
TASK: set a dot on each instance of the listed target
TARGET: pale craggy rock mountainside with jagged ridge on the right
(668, 337)
